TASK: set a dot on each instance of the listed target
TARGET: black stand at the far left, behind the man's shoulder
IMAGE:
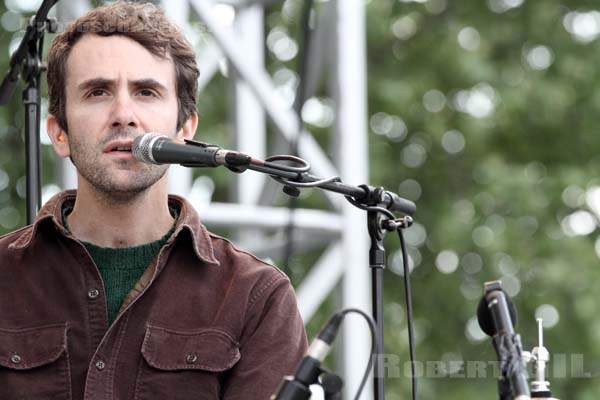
(26, 63)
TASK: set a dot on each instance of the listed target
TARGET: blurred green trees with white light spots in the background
(485, 114)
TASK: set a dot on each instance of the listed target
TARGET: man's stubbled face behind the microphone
(115, 91)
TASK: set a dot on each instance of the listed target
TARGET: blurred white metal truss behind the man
(340, 45)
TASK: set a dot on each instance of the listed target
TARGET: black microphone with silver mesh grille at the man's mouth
(154, 148)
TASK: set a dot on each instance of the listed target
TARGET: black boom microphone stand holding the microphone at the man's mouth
(379, 204)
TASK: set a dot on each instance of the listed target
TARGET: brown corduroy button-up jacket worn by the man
(205, 321)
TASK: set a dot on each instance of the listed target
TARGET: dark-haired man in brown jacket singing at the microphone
(117, 291)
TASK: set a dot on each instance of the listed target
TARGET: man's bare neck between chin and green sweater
(107, 222)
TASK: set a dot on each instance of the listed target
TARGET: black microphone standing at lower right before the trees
(496, 316)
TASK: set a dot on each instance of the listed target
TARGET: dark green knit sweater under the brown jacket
(122, 267)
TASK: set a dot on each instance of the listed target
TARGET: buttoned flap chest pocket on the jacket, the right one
(184, 364)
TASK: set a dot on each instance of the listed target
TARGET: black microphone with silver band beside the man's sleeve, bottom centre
(297, 387)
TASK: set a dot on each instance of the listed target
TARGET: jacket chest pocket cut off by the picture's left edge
(34, 363)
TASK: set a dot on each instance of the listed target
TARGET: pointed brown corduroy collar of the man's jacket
(188, 220)
